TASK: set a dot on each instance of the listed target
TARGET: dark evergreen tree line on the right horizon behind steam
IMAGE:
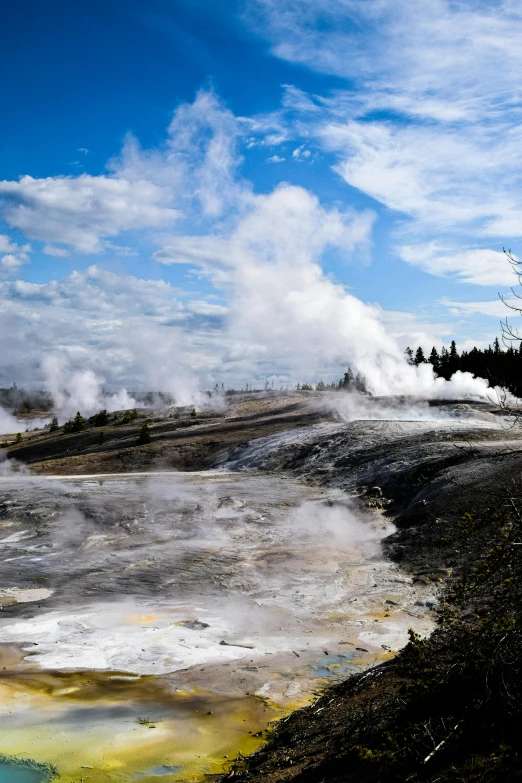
(498, 366)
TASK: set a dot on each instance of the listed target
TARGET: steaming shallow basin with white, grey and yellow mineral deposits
(174, 616)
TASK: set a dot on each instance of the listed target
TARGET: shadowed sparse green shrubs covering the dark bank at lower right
(461, 690)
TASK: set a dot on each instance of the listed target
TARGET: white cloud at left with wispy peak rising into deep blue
(195, 169)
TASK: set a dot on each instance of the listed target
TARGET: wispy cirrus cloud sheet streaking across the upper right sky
(428, 123)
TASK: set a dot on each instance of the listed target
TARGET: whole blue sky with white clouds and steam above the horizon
(193, 191)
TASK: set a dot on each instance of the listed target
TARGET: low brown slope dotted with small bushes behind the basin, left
(179, 441)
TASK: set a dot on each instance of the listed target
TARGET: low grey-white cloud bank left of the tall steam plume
(118, 327)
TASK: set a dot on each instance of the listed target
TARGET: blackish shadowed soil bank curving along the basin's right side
(448, 708)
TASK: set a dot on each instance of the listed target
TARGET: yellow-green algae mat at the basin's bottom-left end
(115, 730)
